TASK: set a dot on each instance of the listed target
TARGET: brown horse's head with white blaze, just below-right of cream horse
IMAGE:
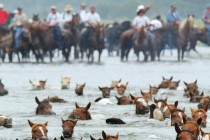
(177, 116)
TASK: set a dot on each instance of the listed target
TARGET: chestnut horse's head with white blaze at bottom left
(39, 131)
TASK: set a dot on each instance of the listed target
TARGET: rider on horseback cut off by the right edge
(206, 20)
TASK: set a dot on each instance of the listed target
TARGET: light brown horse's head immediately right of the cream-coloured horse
(168, 108)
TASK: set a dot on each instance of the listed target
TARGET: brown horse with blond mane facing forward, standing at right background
(183, 36)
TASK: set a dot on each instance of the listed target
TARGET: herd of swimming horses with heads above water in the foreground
(187, 127)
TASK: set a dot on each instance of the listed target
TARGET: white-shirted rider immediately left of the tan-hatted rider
(53, 21)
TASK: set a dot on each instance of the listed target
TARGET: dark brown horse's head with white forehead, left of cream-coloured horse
(142, 106)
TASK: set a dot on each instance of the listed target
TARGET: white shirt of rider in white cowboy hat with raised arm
(140, 21)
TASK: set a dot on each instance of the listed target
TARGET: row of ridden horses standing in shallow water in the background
(39, 39)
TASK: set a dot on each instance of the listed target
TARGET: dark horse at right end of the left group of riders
(94, 40)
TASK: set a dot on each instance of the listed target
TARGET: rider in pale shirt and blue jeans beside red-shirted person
(19, 21)
